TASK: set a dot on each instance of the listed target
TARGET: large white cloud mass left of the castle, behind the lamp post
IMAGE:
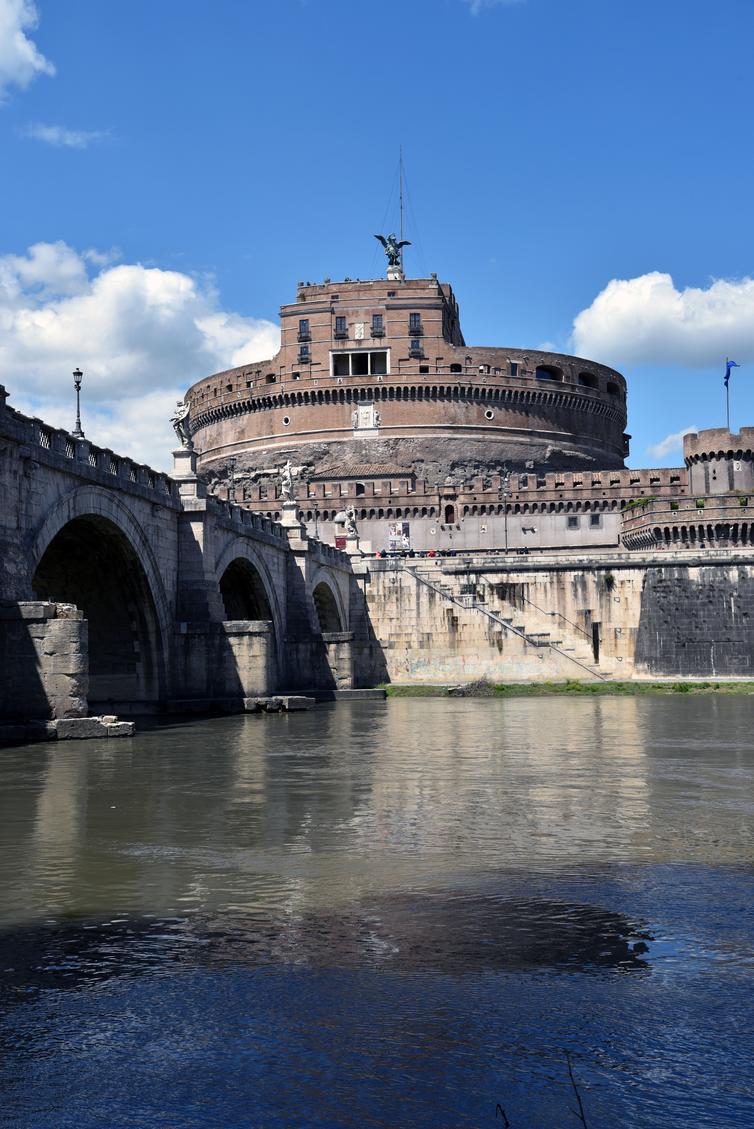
(141, 335)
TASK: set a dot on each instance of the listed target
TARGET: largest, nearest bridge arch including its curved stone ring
(92, 552)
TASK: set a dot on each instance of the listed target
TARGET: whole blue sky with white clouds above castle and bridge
(580, 171)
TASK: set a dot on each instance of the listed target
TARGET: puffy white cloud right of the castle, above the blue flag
(647, 320)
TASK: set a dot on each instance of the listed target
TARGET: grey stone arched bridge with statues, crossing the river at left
(128, 590)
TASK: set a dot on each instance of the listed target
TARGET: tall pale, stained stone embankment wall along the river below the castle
(620, 617)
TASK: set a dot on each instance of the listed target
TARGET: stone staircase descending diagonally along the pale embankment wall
(559, 644)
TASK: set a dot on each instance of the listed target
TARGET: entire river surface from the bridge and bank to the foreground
(384, 915)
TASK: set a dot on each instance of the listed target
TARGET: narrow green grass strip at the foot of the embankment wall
(484, 689)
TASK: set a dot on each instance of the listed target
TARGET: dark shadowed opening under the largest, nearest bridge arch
(92, 564)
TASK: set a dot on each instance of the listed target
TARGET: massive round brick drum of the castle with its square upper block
(379, 373)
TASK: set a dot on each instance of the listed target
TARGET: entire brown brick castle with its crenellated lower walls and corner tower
(441, 447)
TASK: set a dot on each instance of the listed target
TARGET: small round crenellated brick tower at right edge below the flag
(721, 461)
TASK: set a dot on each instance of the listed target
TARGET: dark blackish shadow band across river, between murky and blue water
(427, 932)
